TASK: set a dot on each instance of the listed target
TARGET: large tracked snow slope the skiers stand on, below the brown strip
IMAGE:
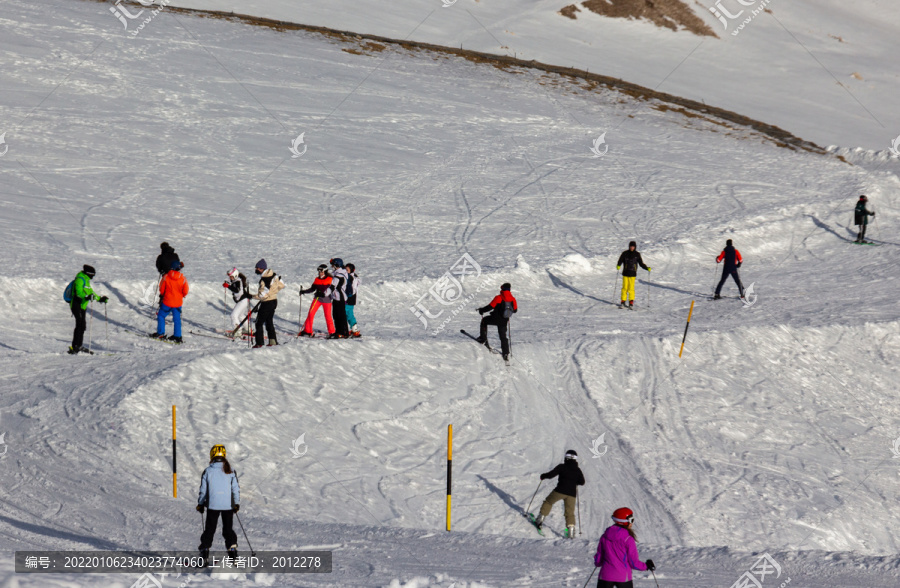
(772, 434)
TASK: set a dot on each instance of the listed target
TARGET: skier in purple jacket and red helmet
(617, 553)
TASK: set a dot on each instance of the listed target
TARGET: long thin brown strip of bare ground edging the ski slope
(584, 79)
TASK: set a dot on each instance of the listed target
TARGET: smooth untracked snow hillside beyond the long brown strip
(825, 70)
